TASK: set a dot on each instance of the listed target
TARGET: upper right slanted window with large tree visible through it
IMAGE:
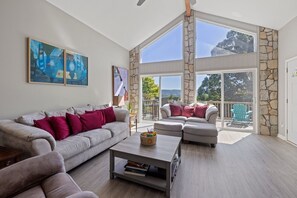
(214, 40)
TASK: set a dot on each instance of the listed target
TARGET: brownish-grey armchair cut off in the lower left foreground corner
(41, 176)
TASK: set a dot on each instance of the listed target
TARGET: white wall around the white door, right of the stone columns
(287, 50)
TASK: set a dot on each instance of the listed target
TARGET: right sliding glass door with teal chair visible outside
(234, 94)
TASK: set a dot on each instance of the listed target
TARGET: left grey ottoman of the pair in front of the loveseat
(169, 127)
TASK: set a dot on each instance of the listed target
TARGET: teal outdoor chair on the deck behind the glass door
(240, 115)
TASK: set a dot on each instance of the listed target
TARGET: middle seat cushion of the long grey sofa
(96, 136)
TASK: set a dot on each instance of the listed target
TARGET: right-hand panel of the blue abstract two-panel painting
(76, 69)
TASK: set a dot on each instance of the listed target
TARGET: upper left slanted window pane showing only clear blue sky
(166, 48)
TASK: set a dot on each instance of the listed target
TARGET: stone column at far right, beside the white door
(268, 47)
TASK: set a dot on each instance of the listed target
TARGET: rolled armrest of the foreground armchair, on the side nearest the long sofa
(29, 172)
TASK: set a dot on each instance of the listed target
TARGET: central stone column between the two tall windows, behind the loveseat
(189, 59)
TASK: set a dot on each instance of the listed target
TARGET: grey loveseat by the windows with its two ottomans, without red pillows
(190, 129)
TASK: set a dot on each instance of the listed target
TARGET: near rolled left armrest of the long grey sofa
(27, 138)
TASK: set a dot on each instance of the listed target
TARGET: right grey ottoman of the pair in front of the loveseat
(201, 132)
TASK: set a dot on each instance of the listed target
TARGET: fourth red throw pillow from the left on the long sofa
(90, 121)
